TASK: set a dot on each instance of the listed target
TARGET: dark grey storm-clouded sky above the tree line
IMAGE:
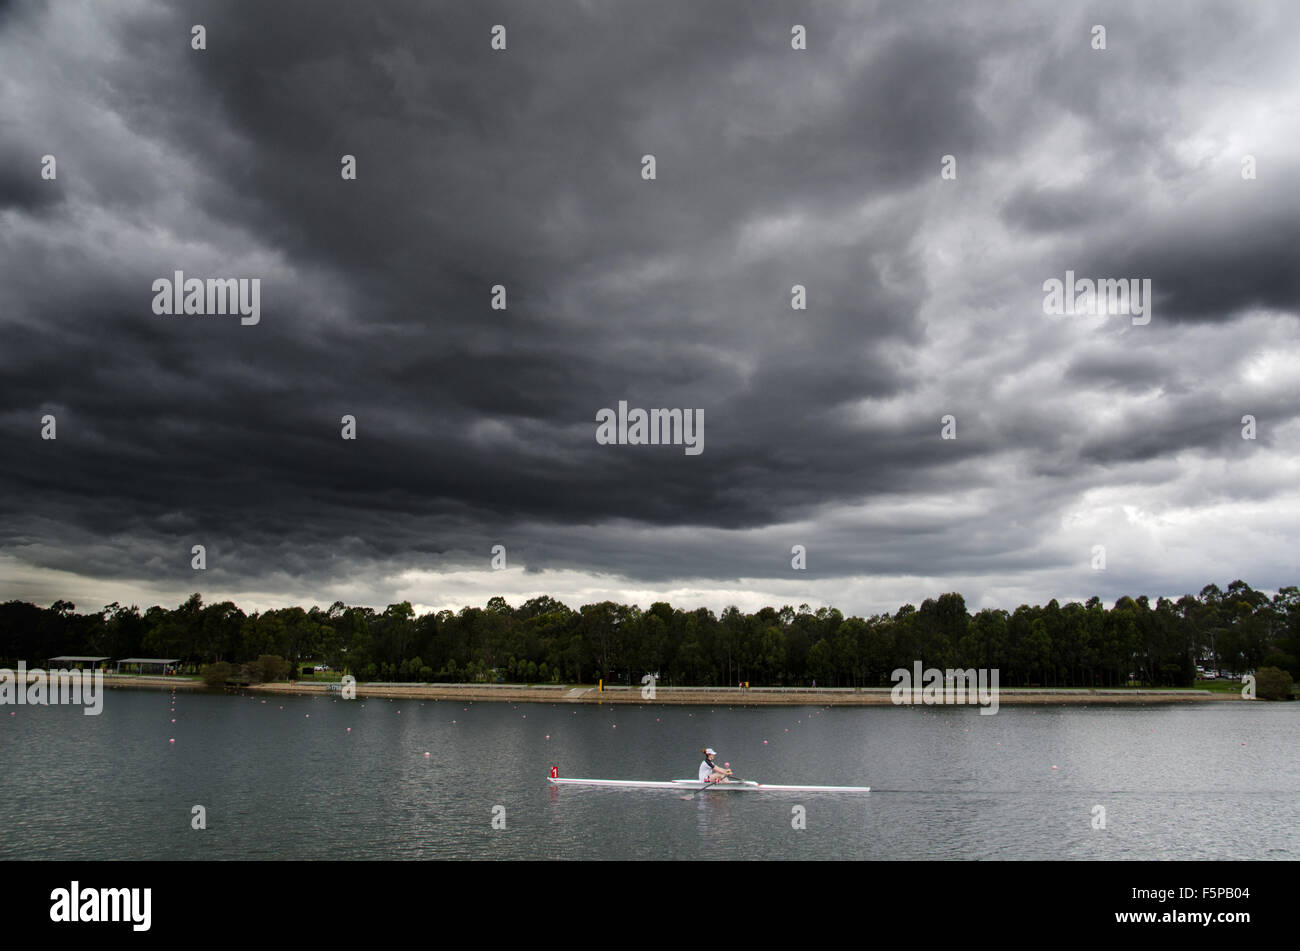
(523, 168)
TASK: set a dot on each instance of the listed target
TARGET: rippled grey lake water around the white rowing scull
(284, 779)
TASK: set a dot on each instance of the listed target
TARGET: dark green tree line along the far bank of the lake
(547, 642)
